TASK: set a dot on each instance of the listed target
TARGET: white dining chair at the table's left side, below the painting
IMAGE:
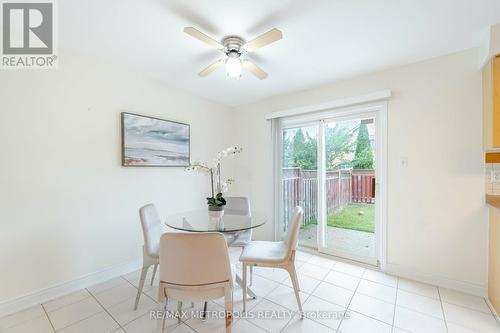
(151, 229)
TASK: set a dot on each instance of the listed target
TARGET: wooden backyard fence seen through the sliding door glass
(300, 188)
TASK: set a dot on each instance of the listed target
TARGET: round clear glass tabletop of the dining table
(203, 221)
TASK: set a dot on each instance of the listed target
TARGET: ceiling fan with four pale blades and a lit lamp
(234, 47)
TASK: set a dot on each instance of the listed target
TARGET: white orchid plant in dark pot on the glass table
(218, 187)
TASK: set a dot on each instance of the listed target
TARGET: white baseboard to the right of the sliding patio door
(463, 286)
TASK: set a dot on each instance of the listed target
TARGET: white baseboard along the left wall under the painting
(47, 294)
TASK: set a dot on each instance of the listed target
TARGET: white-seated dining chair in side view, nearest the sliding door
(275, 254)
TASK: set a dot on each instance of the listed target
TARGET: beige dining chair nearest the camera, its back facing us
(195, 267)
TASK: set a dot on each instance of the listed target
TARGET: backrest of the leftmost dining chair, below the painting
(151, 228)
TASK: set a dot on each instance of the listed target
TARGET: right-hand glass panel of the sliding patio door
(347, 227)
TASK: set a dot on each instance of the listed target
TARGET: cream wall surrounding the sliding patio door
(436, 211)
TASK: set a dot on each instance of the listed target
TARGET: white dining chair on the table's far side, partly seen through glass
(239, 206)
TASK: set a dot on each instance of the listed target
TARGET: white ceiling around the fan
(323, 40)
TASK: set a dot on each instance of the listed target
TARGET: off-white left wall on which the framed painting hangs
(67, 206)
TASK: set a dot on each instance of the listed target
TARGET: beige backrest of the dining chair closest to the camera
(194, 259)
